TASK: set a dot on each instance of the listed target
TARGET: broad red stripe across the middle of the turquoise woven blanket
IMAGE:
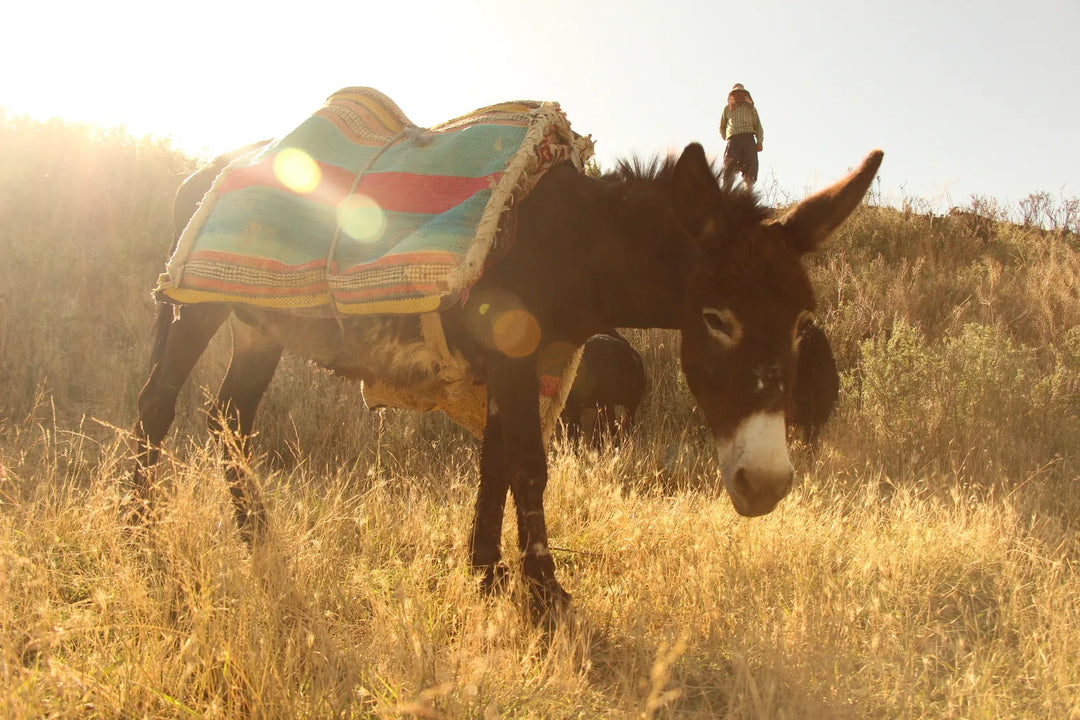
(397, 193)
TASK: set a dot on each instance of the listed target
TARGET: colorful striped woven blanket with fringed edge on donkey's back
(359, 212)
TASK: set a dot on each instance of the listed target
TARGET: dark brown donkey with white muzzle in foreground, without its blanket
(663, 249)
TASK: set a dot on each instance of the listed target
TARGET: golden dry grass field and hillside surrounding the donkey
(926, 566)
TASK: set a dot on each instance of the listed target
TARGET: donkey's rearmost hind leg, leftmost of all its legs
(180, 344)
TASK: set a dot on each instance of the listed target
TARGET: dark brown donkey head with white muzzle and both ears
(747, 300)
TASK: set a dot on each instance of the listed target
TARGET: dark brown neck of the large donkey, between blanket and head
(593, 253)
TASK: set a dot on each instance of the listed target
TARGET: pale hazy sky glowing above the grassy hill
(965, 98)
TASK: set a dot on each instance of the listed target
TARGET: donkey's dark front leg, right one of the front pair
(514, 424)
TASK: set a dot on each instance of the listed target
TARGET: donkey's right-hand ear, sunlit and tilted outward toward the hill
(809, 224)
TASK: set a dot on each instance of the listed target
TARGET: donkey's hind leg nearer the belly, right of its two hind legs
(255, 358)
